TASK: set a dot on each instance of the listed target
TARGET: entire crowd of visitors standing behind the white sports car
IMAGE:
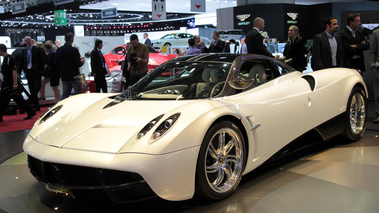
(48, 63)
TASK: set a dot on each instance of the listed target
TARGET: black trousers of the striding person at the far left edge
(6, 94)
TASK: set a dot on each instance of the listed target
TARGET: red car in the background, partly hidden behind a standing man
(118, 54)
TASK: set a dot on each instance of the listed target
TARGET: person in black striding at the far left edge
(11, 88)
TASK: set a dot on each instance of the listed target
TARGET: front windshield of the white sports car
(180, 81)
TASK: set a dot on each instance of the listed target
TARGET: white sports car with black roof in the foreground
(194, 125)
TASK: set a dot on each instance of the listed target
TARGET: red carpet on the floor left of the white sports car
(17, 122)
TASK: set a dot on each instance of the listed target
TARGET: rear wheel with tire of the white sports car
(356, 114)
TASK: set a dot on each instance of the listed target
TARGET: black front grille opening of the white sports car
(119, 186)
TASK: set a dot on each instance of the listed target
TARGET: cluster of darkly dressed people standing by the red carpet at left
(42, 63)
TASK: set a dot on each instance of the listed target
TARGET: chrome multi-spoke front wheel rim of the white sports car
(224, 160)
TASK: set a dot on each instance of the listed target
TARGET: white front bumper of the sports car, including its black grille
(171, 176)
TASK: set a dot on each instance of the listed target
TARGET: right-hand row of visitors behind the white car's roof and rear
(330, 49)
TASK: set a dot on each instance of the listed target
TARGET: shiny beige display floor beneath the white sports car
(334, 177)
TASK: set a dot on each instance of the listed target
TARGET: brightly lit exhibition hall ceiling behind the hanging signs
(40, 12)
